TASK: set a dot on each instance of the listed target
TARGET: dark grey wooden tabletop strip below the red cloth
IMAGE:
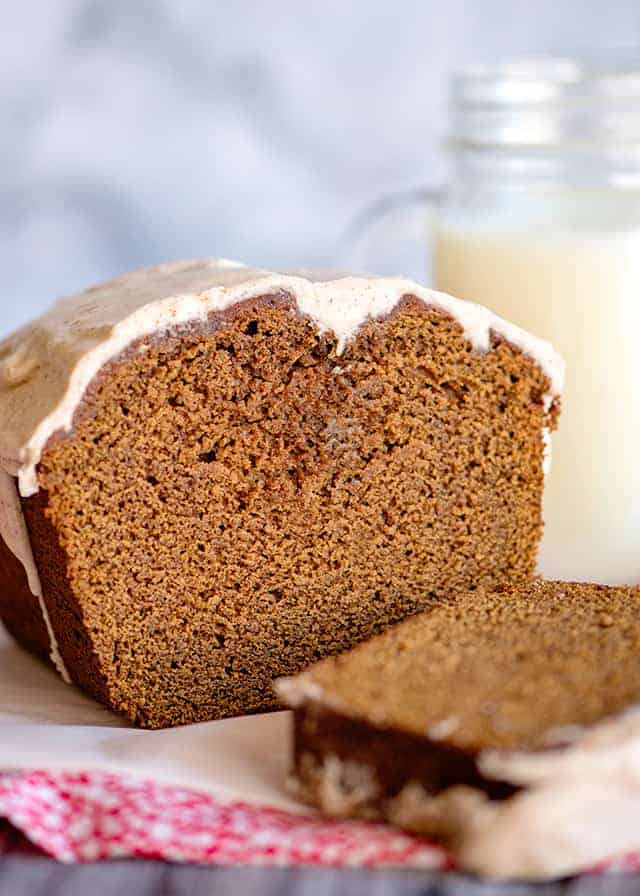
(36, 876)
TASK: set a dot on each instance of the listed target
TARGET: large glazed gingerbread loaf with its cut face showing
(227, 474)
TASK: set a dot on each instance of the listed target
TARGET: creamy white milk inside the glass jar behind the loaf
(580, 288)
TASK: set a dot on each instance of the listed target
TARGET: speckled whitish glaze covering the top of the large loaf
(47, 365)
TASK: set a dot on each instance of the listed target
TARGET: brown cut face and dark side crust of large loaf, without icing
(235, 501)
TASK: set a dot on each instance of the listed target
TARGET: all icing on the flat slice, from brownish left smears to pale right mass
(578, 808)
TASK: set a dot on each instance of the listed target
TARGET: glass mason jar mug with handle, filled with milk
(540, 221)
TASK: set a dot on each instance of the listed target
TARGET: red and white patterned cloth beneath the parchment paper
(82, 817)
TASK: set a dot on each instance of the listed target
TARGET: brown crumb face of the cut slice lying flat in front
(523, 669)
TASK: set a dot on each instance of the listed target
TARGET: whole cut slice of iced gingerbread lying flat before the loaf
(505, 723)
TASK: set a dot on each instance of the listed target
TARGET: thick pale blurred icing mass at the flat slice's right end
(579, 806)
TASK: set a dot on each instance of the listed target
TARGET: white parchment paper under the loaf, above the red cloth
(46, 724)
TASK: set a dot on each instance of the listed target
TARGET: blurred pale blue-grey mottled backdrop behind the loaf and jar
(138, 131)
